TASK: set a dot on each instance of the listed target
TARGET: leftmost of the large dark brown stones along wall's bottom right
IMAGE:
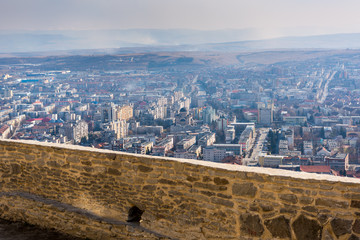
(251, 225)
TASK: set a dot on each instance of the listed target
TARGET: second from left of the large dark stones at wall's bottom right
(279, 227)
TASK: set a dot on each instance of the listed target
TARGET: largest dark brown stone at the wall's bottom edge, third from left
(305, 228)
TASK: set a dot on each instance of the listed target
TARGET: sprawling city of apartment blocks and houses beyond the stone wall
(257, 109)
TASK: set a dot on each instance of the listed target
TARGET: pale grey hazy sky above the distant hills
(273, 17)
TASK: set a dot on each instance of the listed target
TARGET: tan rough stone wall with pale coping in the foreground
(88, 193)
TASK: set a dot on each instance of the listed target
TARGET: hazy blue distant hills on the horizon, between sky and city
(146, 40)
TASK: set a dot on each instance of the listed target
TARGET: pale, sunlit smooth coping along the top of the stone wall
(229, 167)
